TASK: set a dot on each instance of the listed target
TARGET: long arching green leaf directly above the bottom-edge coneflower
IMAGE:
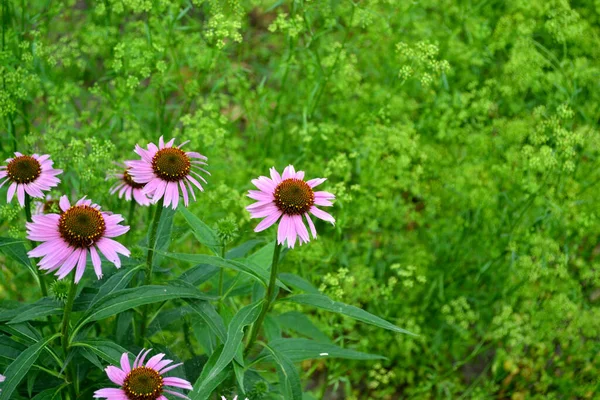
(126, 299)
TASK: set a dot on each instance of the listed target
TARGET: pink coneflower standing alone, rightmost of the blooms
(288, 196)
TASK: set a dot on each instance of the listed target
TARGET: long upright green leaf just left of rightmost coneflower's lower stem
(235, 334)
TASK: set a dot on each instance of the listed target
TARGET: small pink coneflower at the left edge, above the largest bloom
(28, 174)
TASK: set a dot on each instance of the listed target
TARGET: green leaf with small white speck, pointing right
(299, 349)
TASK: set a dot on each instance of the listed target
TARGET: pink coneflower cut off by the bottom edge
(142, 382)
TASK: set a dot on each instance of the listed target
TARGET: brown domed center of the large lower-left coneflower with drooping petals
(81, 226)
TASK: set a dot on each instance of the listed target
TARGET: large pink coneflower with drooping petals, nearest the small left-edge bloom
(68, 237)
